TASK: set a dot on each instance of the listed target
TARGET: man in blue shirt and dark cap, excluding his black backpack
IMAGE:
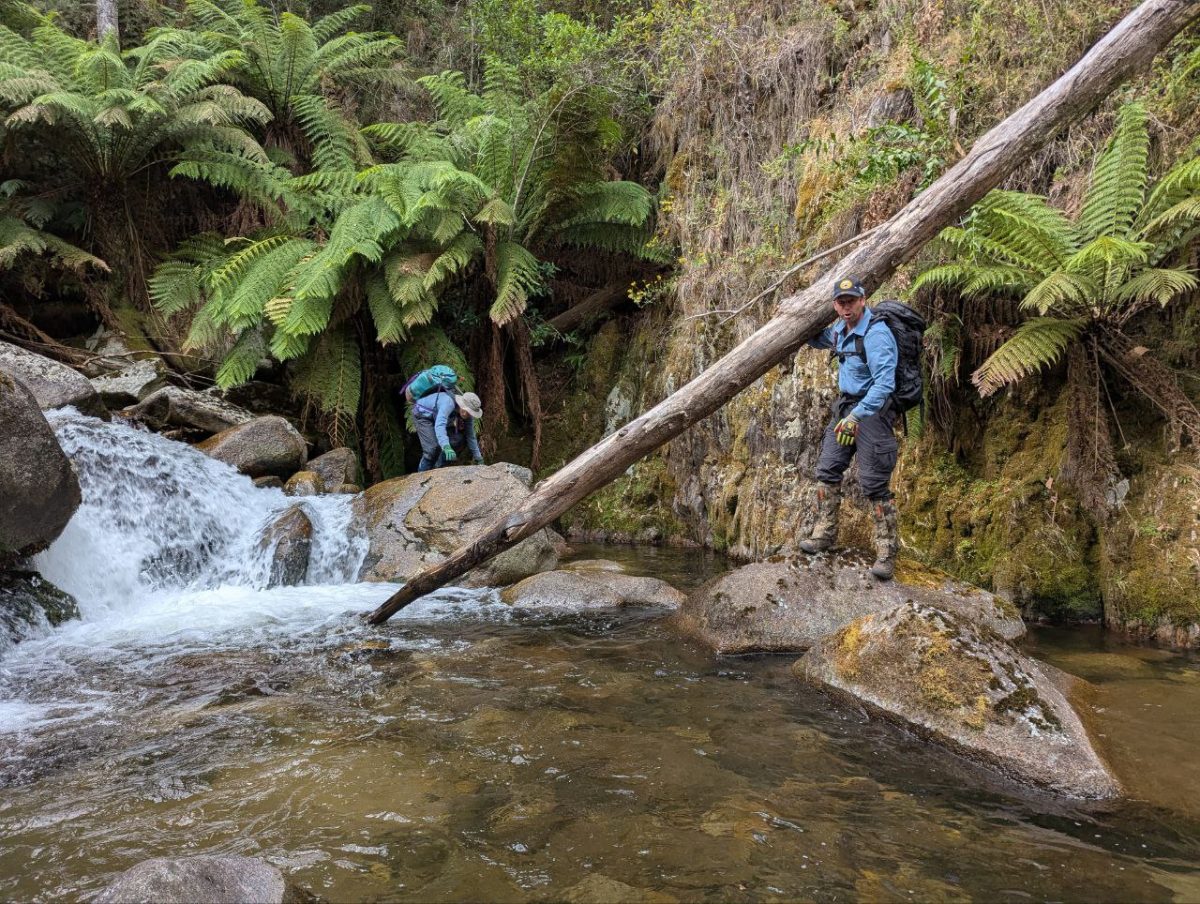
(863, 422)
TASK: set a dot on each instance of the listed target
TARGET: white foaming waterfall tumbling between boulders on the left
(159, 518)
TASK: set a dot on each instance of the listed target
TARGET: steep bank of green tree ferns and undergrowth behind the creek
(331, 199)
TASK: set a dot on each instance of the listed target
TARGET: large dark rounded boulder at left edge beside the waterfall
(39, 488)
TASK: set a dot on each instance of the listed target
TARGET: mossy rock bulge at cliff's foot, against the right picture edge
(1153, 559)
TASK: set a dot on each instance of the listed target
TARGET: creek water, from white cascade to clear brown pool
(467, 752)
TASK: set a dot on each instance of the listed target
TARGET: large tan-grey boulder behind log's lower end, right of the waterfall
(418, 520)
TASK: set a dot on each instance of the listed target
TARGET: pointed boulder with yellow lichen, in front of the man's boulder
(962, 686)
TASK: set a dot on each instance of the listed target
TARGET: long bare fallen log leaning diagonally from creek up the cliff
(1126, 50)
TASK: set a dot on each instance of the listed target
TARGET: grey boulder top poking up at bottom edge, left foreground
(200, 881)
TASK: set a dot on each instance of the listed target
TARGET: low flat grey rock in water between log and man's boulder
(597, 589)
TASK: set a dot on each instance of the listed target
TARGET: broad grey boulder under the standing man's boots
(787, 606)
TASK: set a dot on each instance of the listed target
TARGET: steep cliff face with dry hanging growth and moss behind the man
(800, 127)
